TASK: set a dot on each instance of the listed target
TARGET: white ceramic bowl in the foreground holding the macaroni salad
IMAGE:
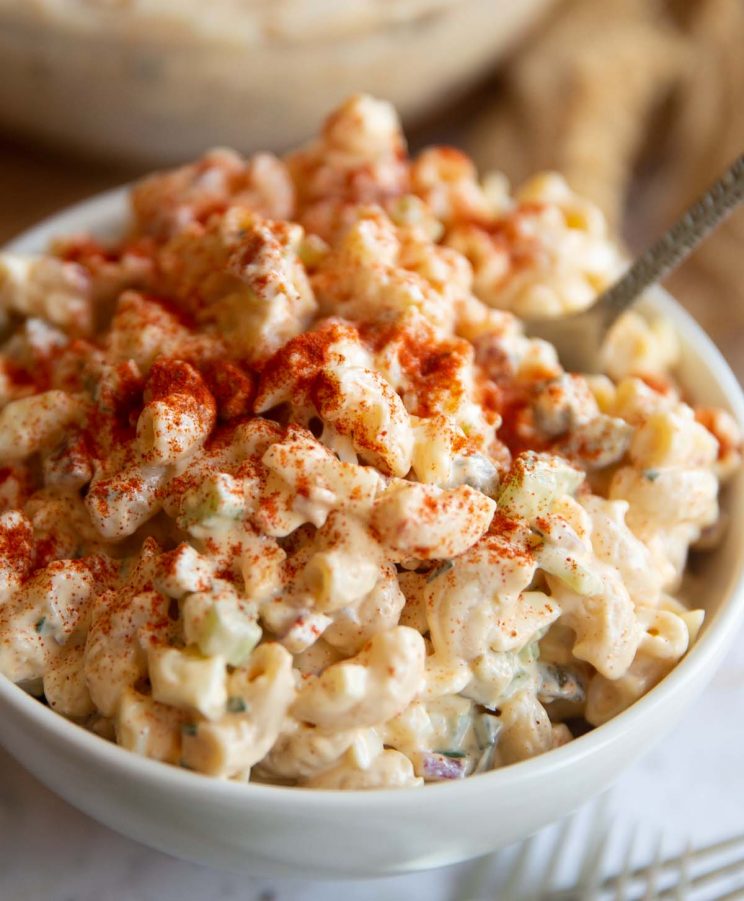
(272, 830)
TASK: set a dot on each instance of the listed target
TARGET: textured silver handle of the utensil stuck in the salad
(675, 244)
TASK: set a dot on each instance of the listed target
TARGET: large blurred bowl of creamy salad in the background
(158, 81)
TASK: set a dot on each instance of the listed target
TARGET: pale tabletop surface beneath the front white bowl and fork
(690, 788)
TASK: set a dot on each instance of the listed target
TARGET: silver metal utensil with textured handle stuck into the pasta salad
(578, 338)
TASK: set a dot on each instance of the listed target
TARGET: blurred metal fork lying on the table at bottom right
(683, 875)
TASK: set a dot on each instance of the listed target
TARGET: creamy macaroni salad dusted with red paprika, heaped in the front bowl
(287, 495)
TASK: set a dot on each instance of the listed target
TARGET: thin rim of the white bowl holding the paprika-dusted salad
(106, 213)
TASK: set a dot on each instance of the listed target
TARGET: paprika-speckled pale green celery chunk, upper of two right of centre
(534, 482)
